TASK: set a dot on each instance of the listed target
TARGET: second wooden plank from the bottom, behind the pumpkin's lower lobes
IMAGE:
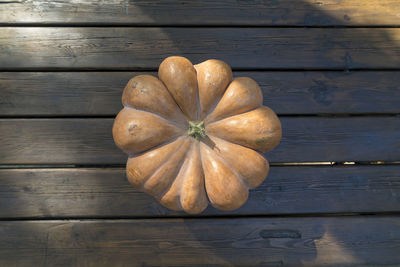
(91, 193)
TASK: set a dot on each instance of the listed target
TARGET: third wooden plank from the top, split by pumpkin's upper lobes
(99, 93)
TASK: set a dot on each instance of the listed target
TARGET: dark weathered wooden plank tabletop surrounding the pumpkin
(329, 68)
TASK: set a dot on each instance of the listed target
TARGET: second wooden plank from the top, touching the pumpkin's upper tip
(243, 48)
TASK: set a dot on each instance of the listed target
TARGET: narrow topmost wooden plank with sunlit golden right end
(227, 12)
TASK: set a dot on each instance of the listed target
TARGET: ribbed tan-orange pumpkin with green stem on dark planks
(194, 135)
